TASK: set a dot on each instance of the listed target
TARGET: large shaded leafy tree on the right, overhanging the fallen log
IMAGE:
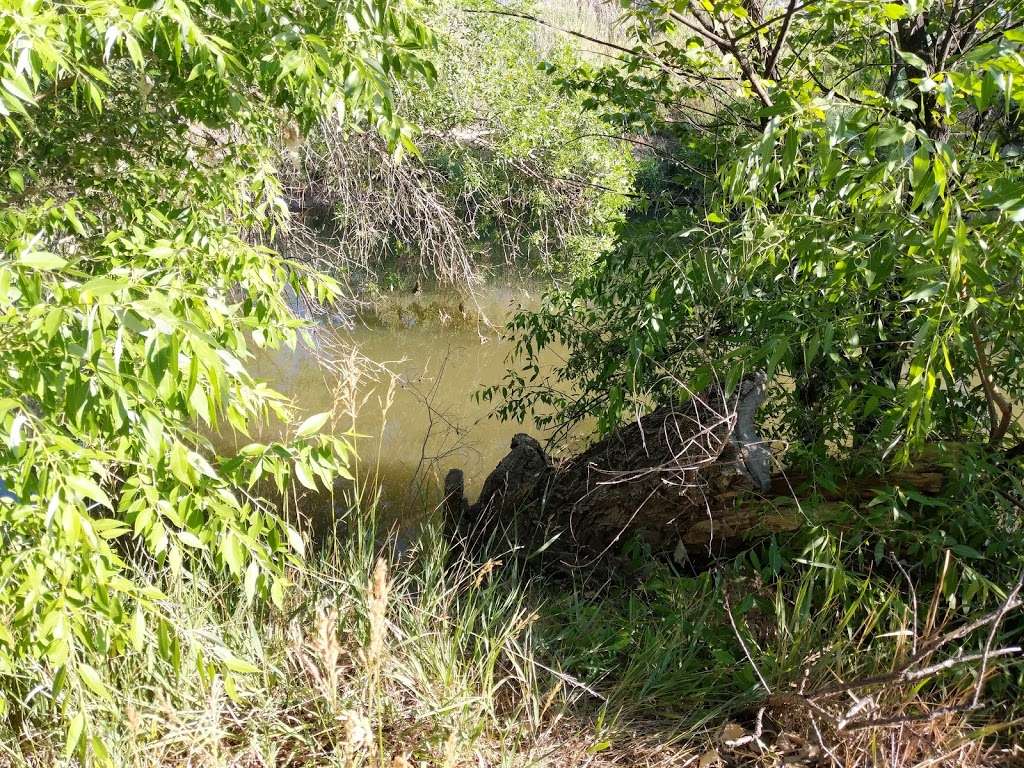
(862, 241)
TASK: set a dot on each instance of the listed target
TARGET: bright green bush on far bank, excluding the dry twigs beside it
(541, 179)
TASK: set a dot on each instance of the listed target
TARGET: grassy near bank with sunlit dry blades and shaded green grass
(430, 658)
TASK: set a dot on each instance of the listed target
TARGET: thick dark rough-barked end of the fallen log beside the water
(655, 479)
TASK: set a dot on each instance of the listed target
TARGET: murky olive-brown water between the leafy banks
(443, 350)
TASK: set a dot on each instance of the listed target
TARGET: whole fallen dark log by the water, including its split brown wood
(689, 482)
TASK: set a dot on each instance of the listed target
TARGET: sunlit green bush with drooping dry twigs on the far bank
(510, 170)
